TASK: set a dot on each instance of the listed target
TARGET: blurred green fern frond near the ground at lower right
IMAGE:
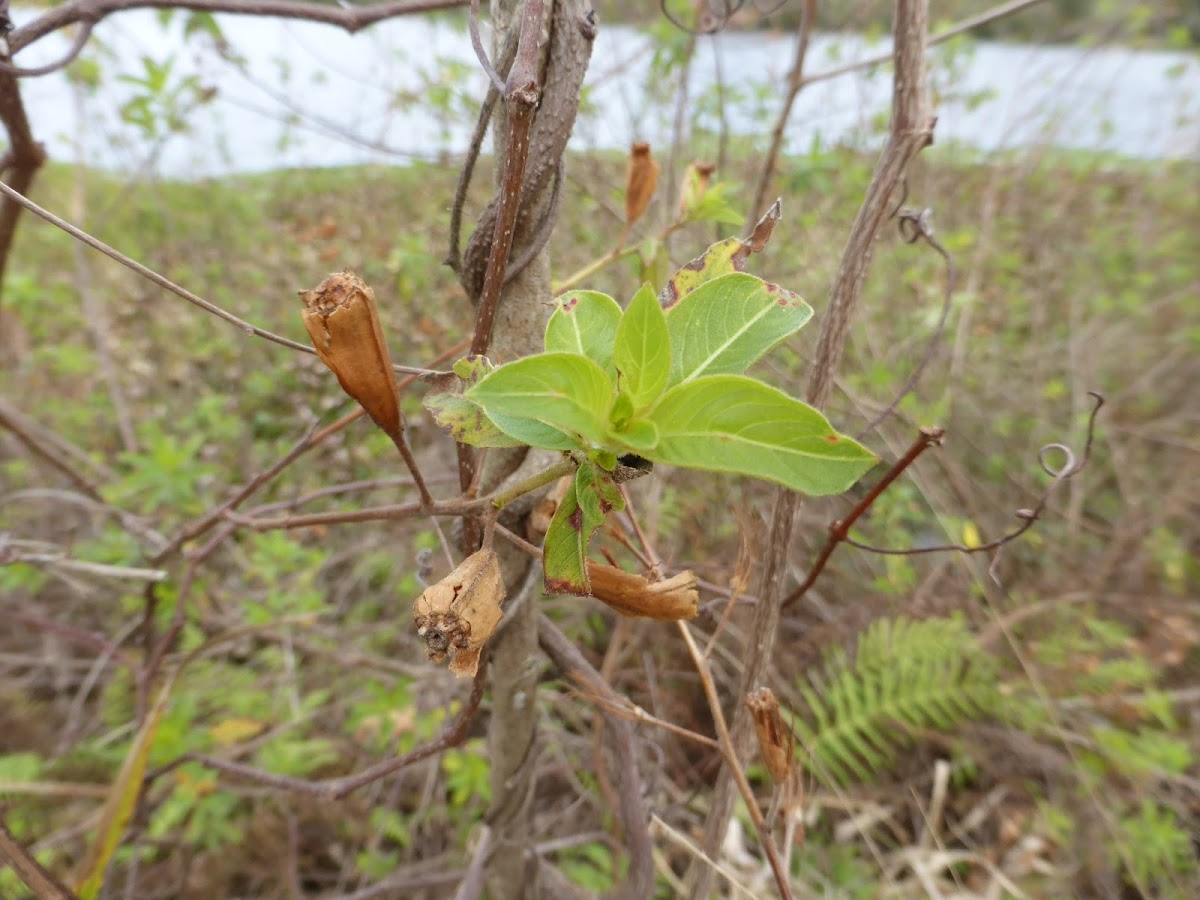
(904, 676)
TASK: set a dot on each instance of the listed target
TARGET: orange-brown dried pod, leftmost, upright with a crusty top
(344, 323)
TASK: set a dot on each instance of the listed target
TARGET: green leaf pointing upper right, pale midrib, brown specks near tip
(729, 323)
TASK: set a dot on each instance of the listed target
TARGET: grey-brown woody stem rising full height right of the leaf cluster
(913, 129)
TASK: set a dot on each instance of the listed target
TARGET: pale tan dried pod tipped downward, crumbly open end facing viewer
(457, 616)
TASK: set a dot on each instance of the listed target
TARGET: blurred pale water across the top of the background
(311, 95)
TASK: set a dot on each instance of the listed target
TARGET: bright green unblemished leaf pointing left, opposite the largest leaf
(556, 401)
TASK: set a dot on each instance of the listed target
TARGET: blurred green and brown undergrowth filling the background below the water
(1031, 734)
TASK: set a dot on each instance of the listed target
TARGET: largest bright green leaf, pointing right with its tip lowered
(736, 424)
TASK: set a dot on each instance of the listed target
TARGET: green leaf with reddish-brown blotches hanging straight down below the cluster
(592, 496)
